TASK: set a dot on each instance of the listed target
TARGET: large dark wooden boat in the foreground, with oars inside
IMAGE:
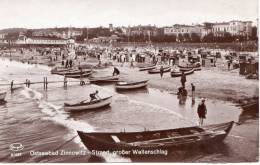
(172, 139)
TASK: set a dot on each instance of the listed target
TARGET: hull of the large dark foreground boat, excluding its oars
(95, 141)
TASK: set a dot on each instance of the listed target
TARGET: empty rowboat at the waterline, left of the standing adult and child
(131, 85)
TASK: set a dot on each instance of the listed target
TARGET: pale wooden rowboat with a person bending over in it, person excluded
(88, 105)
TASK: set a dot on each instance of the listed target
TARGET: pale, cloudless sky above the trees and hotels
(93, 13)
